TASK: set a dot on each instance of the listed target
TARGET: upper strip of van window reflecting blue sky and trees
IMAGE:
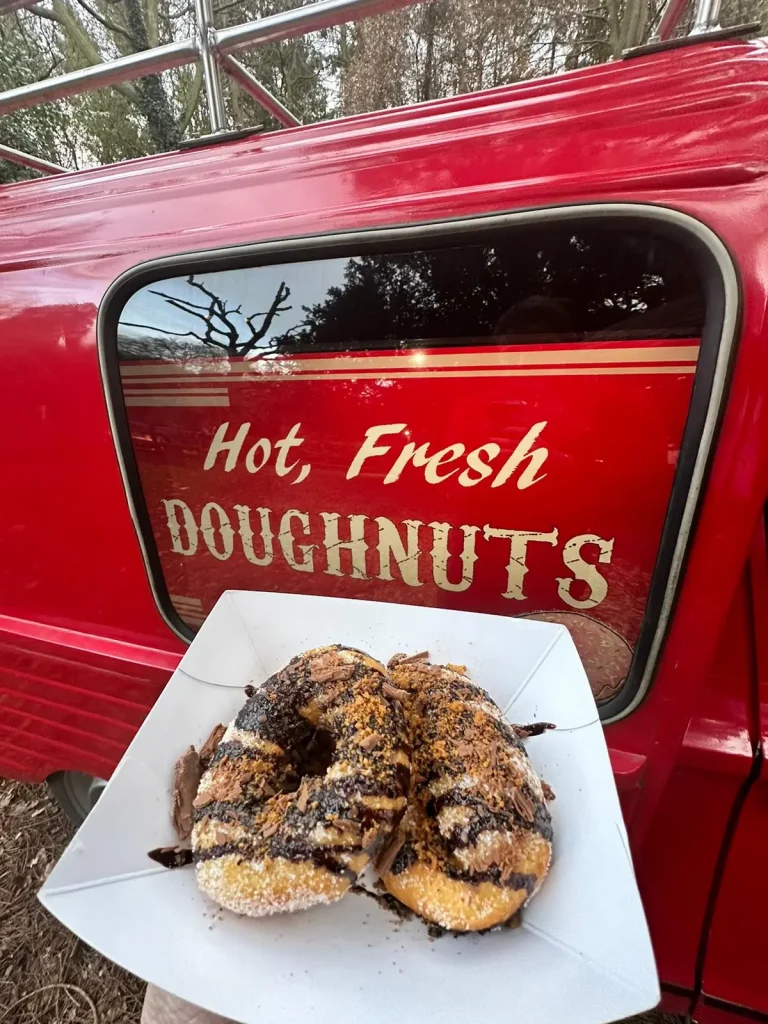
(532, 286)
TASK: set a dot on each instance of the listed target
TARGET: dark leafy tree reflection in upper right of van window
(542, 286)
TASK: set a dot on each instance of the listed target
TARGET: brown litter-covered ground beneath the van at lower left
(47, 975)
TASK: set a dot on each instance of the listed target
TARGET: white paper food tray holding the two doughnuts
(583, 954)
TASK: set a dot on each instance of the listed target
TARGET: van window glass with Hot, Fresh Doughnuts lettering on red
(493, 425)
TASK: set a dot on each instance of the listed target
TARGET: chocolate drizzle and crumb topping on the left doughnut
(314, 715)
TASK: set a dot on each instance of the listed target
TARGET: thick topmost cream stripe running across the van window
(422, 361)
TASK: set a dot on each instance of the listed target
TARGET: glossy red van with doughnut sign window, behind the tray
(505, 353)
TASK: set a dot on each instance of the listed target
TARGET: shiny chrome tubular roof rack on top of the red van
(215, 49)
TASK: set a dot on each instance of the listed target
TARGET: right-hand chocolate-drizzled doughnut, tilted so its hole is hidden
(477, 841)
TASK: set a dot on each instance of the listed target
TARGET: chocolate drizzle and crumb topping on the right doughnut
(476, 814)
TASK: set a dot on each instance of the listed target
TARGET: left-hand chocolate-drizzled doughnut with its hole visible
(306, 787)
